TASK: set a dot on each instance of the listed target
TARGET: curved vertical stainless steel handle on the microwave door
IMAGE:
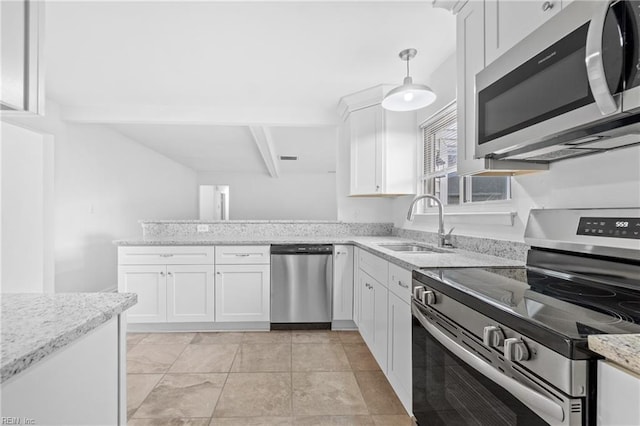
(594, 63)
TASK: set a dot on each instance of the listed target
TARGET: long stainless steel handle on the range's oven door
(540, 404)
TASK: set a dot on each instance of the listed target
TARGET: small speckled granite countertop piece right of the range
(621, 349)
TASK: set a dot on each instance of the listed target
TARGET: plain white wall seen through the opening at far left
(26, 249)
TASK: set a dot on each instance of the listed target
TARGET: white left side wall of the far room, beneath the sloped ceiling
(104, 184)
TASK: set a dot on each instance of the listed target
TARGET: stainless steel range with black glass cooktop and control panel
(508, 346)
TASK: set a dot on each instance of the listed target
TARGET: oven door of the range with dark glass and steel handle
(453, 386)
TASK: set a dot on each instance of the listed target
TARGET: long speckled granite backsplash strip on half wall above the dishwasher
(183, 230)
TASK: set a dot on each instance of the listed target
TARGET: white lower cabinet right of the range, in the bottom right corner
(618, 395)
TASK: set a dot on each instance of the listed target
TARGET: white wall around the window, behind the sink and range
(610, 179)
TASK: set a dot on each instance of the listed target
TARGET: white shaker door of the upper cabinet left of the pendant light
(365, 161)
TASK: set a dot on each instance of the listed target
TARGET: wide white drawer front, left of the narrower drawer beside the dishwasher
(165, 255)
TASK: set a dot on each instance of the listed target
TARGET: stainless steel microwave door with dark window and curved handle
(568, 74)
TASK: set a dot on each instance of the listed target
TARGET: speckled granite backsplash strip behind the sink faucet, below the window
(500, 248)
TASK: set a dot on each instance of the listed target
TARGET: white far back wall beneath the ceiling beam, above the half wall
(301, 196)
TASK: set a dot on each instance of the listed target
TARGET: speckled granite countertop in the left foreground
(34, 347)
